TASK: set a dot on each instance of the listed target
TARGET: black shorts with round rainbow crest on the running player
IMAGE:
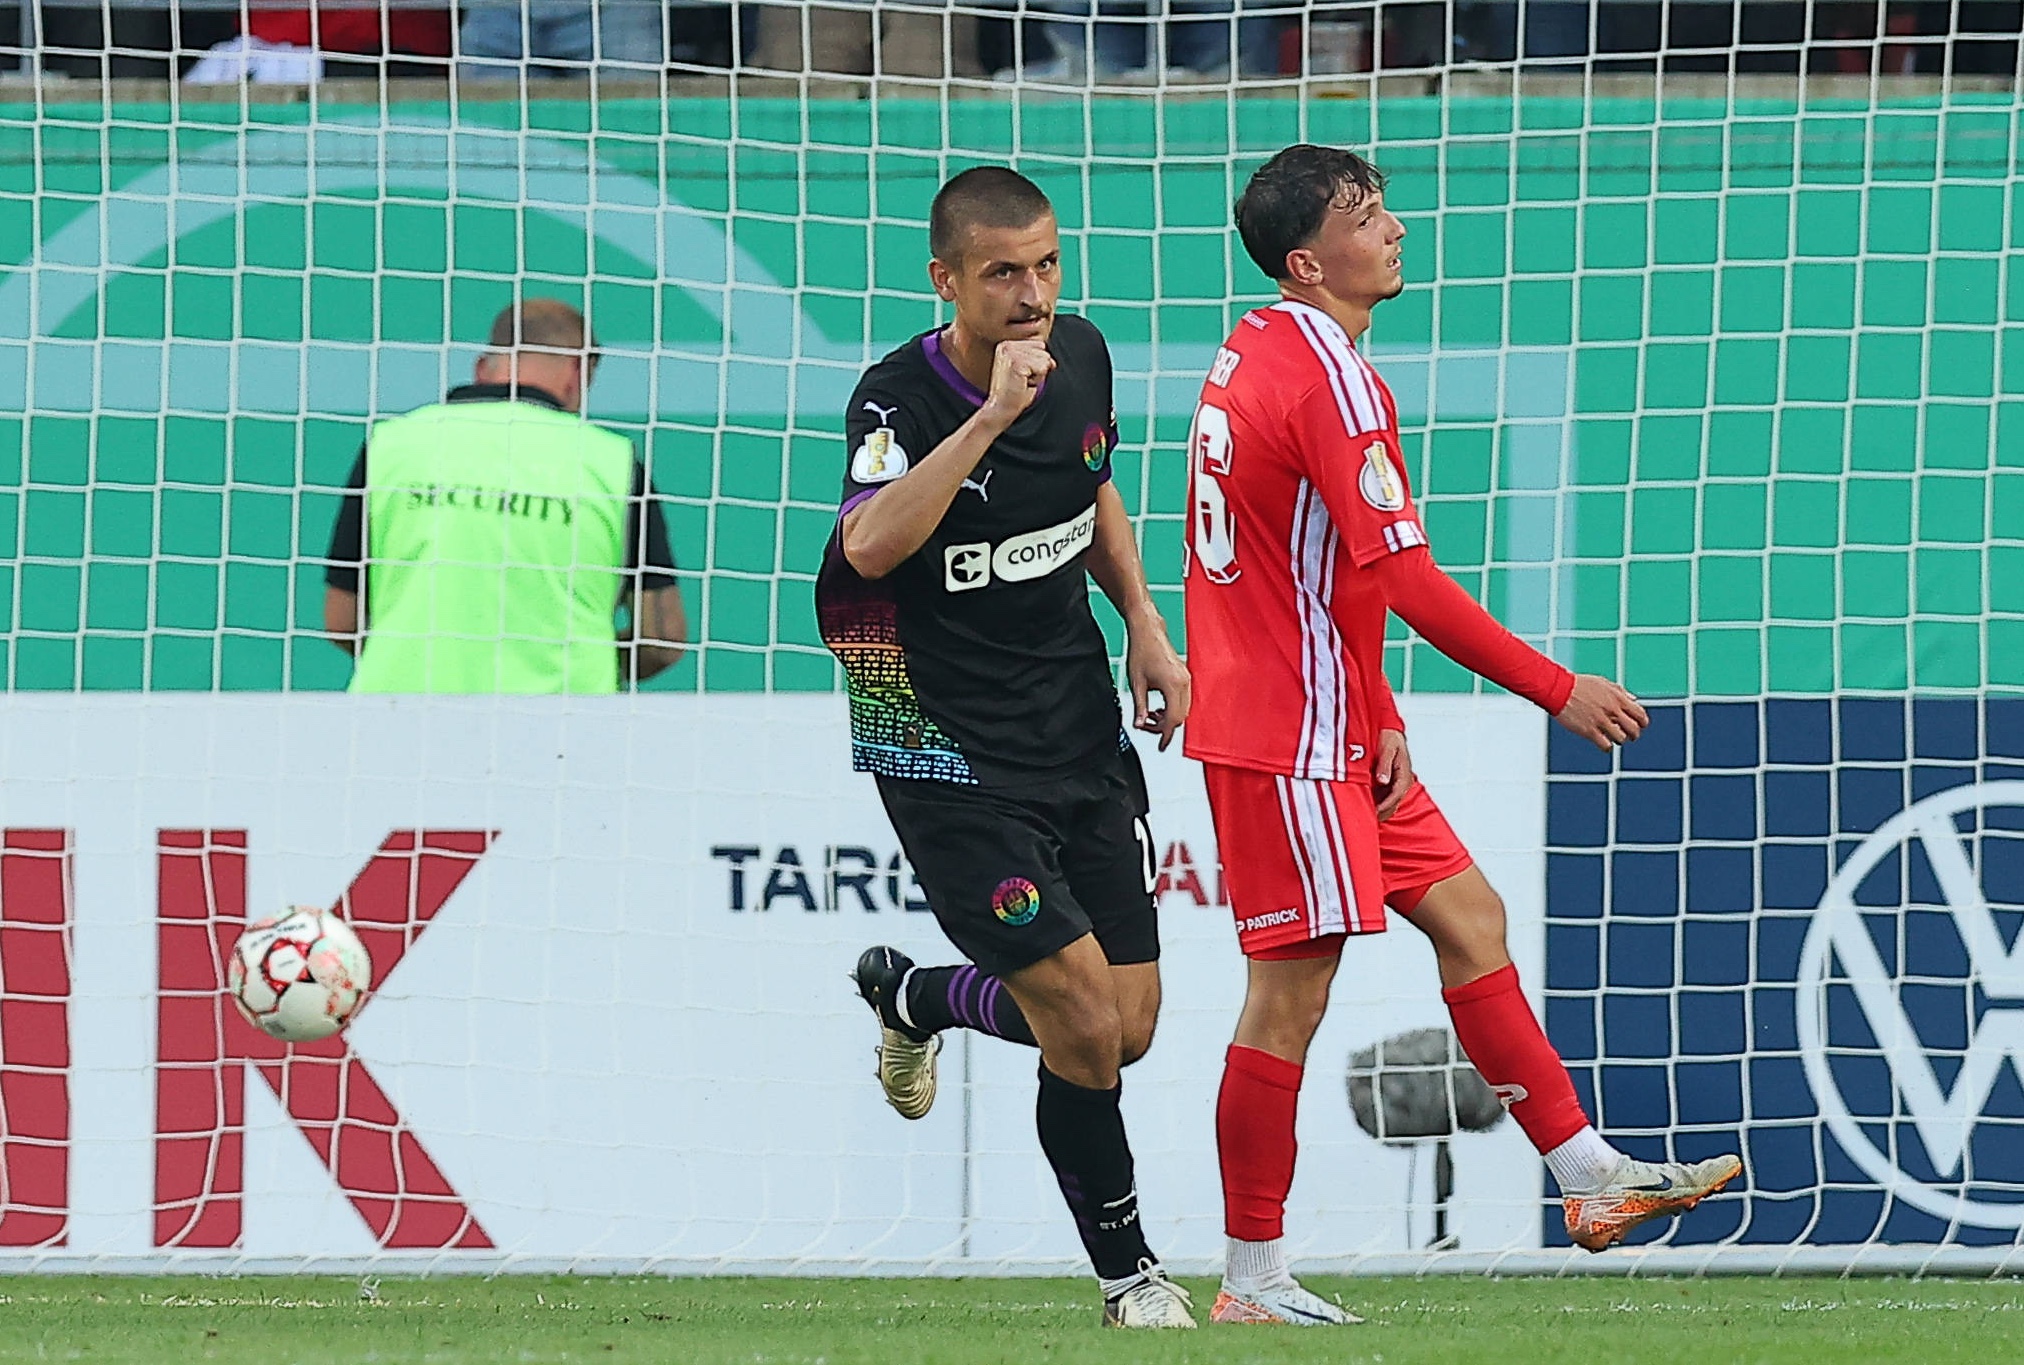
(1019, 874)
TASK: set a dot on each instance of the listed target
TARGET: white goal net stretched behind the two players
(1709, 382)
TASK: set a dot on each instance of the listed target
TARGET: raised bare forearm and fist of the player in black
(881, 534)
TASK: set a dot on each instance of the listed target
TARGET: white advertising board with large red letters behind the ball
(614, 1026)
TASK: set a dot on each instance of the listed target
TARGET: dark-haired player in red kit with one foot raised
(1302, 538)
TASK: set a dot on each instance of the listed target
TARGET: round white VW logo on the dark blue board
(1938, 1089)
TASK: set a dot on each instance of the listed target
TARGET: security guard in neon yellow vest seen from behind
(487, 544)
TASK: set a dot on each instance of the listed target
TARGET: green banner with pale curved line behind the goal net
(1719, 398)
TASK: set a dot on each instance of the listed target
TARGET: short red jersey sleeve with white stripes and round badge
(1349, 451)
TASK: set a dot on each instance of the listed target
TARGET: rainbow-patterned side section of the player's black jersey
(890, 734)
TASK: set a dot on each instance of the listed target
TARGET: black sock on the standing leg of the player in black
(1084, 1137)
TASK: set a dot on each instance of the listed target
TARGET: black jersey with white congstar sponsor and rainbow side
(979, 657)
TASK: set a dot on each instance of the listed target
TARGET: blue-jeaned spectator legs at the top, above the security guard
(620, 39)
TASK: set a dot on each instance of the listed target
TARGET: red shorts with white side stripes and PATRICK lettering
(1309, 862)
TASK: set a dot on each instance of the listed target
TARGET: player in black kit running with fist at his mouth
(956, 594)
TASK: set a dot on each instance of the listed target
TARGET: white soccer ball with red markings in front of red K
(299, 977)
